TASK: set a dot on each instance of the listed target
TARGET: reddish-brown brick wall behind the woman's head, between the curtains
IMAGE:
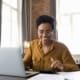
(39, 7)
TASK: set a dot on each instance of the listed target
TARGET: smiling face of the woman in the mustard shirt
(45, 32)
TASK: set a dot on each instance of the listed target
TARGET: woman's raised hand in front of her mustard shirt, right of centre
(56, 65)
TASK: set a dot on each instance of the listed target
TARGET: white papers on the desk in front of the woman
(59, 76)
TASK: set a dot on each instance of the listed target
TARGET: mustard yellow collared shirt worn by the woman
(36, 58)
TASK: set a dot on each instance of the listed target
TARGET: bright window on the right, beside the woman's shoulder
(68, 23)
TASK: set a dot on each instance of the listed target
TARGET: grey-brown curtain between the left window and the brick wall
(26, 20)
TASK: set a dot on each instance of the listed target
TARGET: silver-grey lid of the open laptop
(11, 62)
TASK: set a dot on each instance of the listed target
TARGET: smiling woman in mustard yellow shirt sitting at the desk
(46, 54)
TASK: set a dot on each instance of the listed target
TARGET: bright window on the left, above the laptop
(11, 23)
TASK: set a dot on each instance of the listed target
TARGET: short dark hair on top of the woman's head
(45, 19)
